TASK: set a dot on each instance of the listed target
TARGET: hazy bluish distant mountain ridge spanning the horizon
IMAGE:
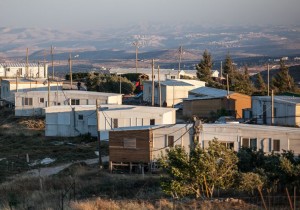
(159, 39)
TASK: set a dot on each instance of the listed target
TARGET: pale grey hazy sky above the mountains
(89, 14)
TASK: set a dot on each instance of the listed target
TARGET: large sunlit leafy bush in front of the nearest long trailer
(199, 172)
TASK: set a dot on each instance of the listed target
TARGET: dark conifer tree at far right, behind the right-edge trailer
(282, 81)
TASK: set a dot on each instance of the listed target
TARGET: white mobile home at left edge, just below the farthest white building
(10, 86)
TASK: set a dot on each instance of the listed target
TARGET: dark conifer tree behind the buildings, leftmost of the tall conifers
(204, 67)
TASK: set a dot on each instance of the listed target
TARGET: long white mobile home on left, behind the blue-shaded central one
(31, 103)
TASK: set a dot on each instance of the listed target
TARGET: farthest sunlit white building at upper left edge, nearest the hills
(30, 70)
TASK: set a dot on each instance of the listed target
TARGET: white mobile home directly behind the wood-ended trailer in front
(77, 120)
